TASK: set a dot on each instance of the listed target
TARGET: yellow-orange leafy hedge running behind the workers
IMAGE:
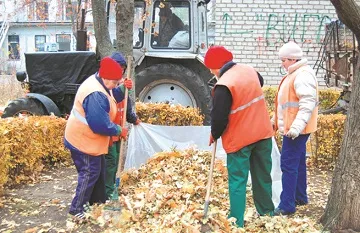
(29, 144)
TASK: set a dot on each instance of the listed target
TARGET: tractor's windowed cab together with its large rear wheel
(169, 41)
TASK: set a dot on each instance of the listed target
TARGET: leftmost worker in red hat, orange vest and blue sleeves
(88, 131)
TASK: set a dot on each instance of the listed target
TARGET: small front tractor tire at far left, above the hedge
(28, 106)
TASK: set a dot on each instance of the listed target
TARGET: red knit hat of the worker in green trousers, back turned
(217, 56)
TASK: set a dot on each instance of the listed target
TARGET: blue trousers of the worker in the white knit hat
(293, 167)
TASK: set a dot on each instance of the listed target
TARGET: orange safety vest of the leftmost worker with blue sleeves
(77, 131)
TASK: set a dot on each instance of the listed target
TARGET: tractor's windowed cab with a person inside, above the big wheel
(166, 28)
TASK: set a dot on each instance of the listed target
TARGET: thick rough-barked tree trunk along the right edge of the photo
(343, 207)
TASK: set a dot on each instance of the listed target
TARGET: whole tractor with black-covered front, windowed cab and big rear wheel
(169, 44)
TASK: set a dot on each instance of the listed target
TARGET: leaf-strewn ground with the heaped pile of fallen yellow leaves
(165, 195)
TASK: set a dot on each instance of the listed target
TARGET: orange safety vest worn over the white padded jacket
(290, 104)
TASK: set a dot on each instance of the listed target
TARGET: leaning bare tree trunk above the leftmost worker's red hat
(103, 43)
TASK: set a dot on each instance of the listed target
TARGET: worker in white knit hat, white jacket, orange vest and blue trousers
(295, 117)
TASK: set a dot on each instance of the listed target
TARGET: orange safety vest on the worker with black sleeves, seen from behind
(249, 120)
